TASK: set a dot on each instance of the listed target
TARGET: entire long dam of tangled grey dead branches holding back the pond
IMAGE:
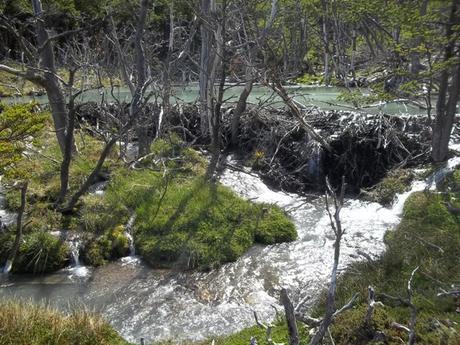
(361, 147)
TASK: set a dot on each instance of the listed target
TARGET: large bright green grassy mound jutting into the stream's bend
(194, 223)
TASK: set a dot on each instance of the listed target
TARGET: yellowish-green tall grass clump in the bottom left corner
(24, 323)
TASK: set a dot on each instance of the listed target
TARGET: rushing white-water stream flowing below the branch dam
(159, 305)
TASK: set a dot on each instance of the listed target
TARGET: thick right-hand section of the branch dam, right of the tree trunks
(363, 147)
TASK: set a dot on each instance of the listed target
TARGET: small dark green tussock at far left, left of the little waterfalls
(41, 252)
